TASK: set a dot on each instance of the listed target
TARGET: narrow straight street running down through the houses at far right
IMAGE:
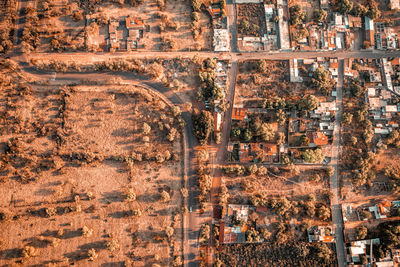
(337, 217)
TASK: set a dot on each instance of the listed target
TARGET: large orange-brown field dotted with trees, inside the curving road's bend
(81, 171)
